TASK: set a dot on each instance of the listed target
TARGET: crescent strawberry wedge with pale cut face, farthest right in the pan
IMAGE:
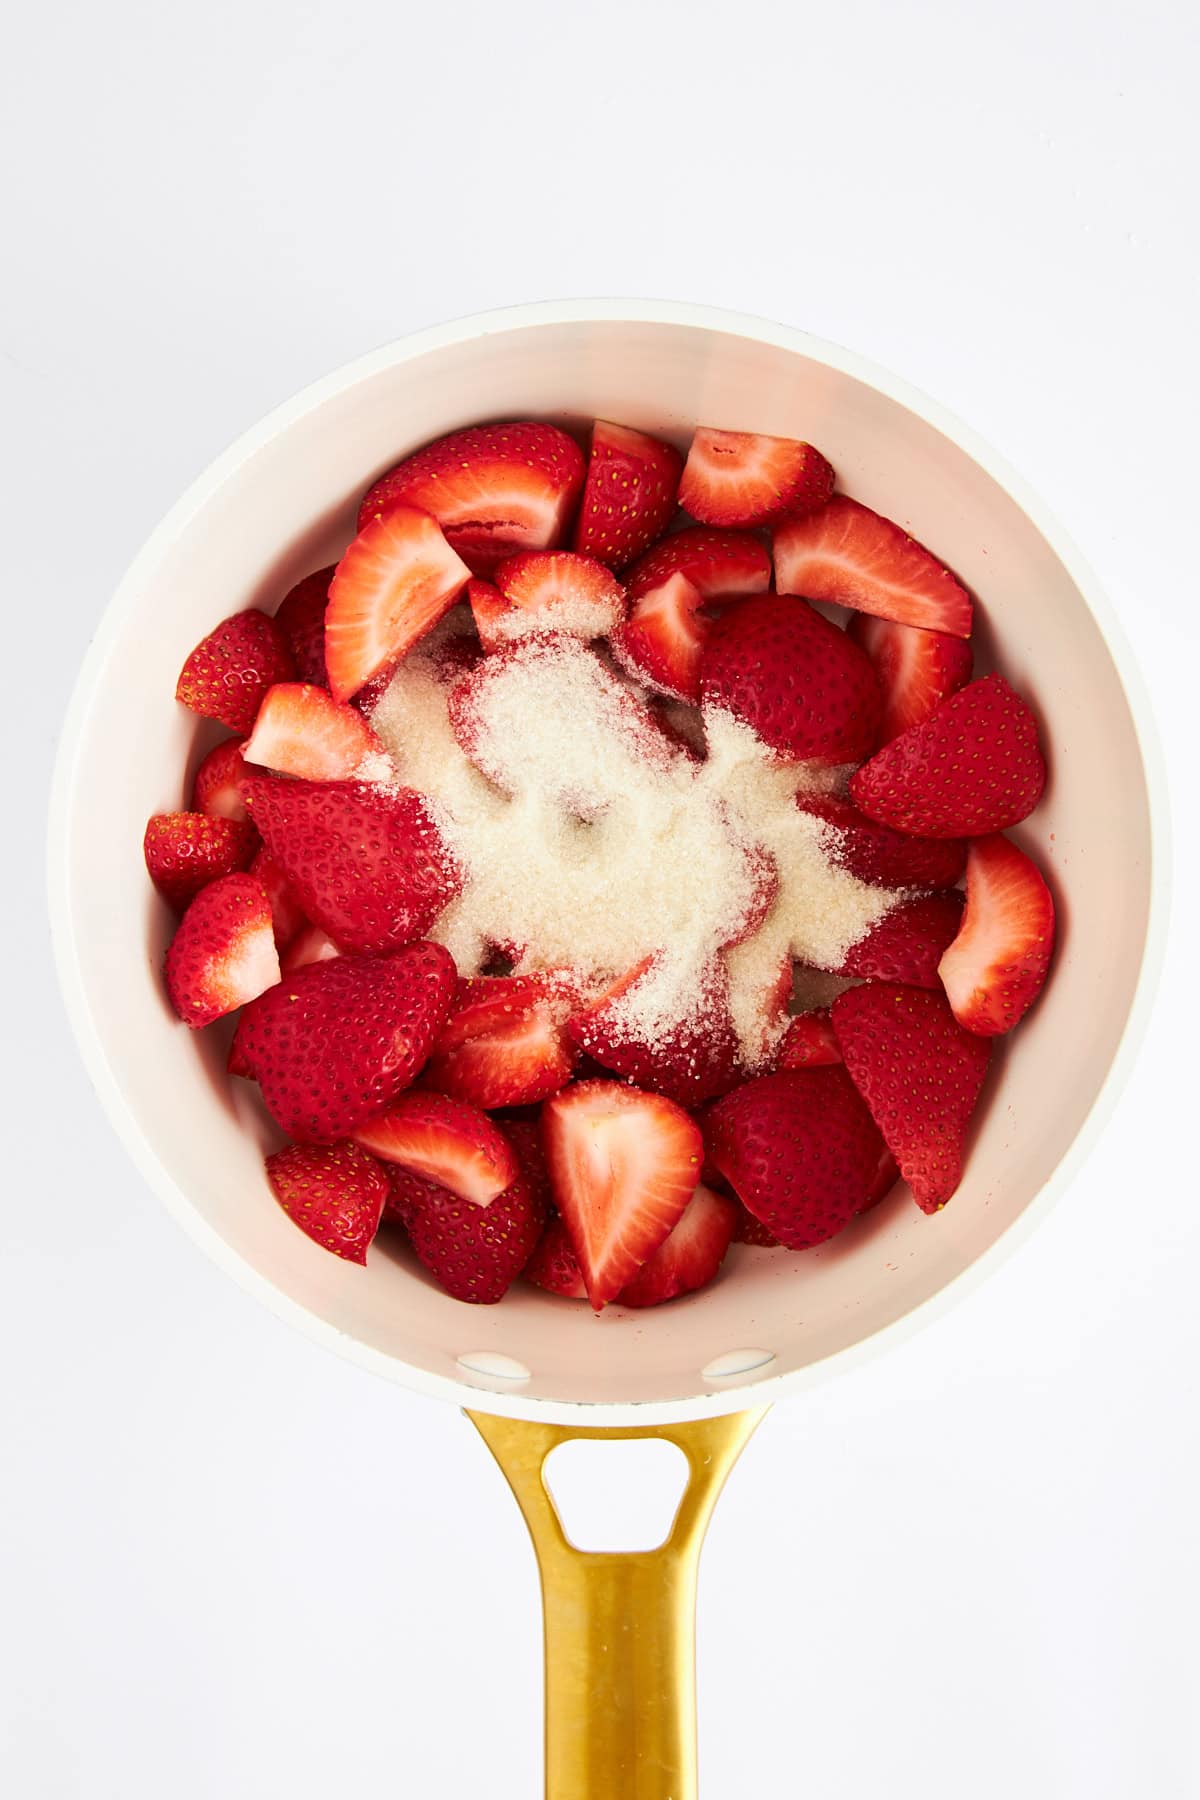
(996, 967)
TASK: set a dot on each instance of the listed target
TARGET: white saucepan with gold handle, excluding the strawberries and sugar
(535, 1371)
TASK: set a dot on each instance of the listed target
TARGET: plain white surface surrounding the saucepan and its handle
(237, 1567)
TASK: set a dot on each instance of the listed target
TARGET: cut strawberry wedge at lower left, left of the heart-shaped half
(447, 1142)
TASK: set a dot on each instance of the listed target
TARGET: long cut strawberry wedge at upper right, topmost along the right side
(857, 559)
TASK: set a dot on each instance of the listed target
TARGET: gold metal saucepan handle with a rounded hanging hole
(620, 1628)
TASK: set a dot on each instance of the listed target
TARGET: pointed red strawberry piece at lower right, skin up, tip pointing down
(920, 1074)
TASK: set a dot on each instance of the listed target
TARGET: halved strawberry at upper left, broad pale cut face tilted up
(391, 588)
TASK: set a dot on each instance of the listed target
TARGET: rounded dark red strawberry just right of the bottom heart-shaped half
(800, 1149)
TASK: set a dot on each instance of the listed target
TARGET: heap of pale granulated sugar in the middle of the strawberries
(598, 843)
